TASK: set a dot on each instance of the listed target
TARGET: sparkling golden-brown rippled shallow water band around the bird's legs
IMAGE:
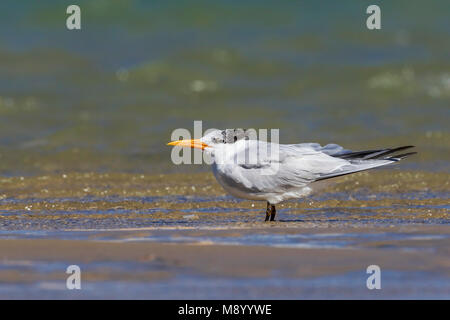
(109, 201)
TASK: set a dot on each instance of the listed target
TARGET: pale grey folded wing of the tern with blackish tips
(283, 167)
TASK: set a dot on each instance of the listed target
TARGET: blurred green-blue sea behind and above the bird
(107, 97)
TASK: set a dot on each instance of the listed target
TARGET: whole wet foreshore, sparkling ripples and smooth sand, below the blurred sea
(180, 236)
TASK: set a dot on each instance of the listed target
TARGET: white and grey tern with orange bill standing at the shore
(258, 170)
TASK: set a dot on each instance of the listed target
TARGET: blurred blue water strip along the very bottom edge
(346, 286)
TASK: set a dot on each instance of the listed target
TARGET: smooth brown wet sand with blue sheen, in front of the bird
(207, 266)
